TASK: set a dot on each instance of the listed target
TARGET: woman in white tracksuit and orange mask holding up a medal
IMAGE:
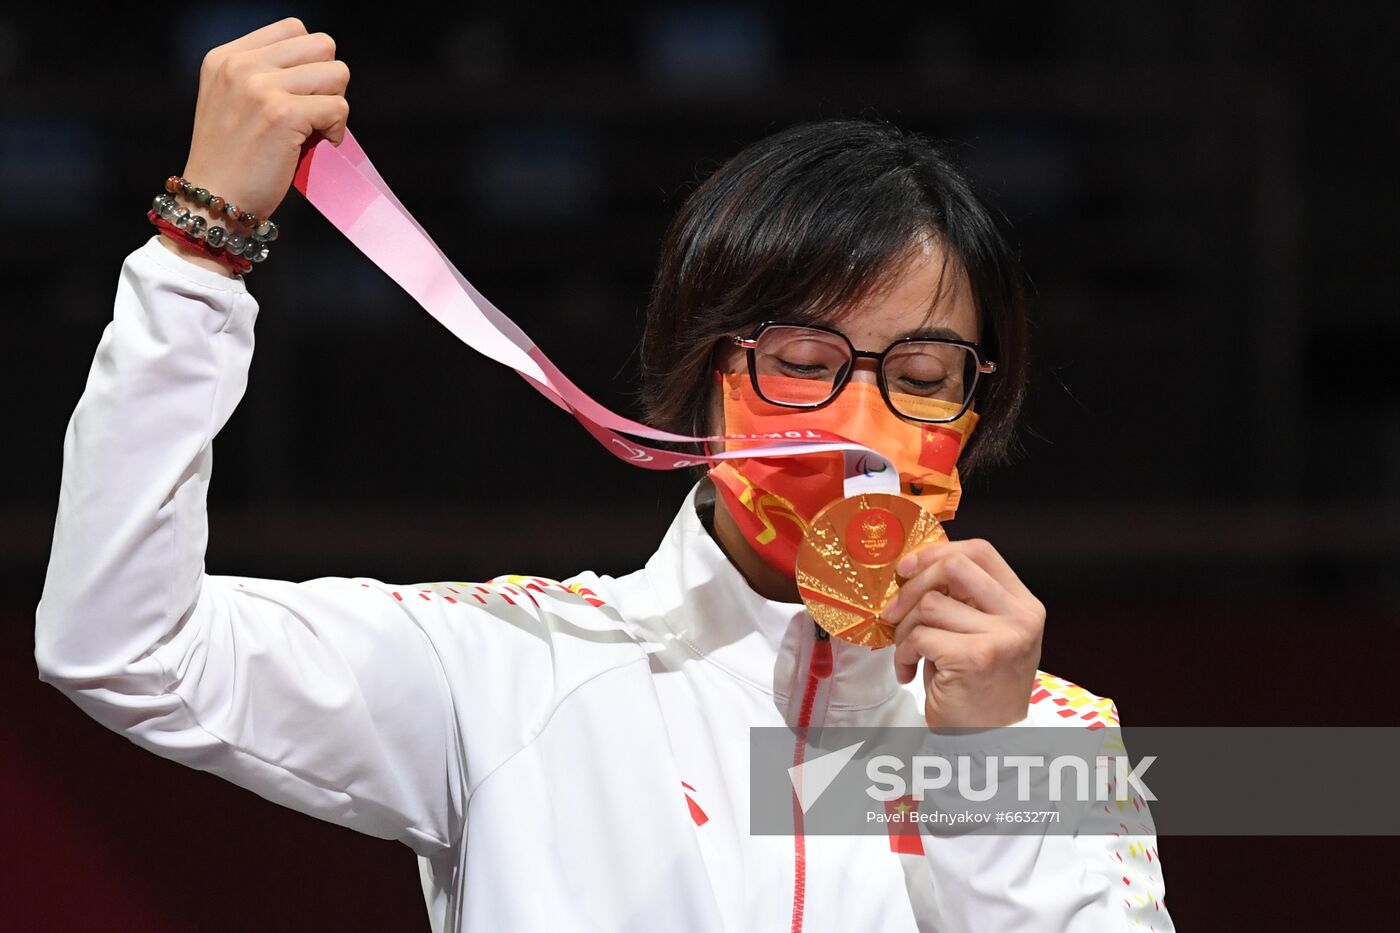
(575, 754)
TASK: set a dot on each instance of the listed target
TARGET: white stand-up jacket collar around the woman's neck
(705, 607)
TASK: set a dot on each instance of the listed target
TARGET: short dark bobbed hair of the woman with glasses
(806, 222)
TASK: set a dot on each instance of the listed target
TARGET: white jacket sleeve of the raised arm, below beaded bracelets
(325, 697)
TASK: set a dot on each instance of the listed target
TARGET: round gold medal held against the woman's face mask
(846, 562)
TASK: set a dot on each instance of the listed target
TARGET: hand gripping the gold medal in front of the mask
(978, 630)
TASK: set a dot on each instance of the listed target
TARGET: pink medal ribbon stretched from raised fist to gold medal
(345, 187)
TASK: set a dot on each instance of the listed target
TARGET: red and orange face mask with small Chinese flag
(773, 499)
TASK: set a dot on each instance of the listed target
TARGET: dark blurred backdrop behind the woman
(1209, 497)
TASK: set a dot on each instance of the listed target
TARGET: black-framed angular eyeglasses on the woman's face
(807, 366)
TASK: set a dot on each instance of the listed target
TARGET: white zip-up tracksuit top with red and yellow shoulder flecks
(561, 756)
